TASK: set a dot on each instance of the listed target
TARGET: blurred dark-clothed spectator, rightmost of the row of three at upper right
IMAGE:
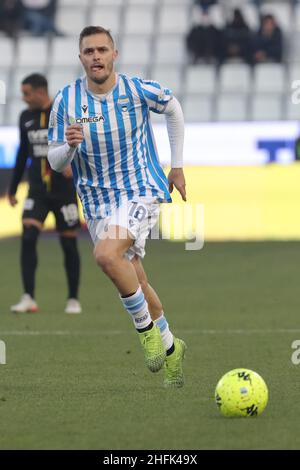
(268, 42)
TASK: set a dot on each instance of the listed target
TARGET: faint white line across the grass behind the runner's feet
(119, 332)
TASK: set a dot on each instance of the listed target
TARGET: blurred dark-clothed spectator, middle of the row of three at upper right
(236, 38)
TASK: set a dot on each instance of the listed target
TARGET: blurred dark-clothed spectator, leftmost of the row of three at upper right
(203, 41)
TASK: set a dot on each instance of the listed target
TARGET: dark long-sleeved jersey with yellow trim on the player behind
(34, 144)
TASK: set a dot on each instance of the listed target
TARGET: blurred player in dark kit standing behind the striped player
(49, 191)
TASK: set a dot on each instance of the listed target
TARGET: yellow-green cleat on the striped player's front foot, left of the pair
(153, 347)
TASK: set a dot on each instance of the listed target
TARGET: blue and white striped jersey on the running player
(118, 157)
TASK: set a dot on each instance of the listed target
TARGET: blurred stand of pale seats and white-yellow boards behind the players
(239, 177)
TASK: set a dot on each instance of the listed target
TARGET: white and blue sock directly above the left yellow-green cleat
(137, 307)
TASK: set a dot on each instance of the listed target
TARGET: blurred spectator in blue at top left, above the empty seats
(38, 16)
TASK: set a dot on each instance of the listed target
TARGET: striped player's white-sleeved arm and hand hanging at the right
(175, 126)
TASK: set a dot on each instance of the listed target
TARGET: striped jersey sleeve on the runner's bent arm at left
(57, 121)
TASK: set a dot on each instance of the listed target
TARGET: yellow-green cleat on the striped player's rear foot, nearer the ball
(173, 365)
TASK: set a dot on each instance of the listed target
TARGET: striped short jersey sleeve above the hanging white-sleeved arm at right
(156, 96)
